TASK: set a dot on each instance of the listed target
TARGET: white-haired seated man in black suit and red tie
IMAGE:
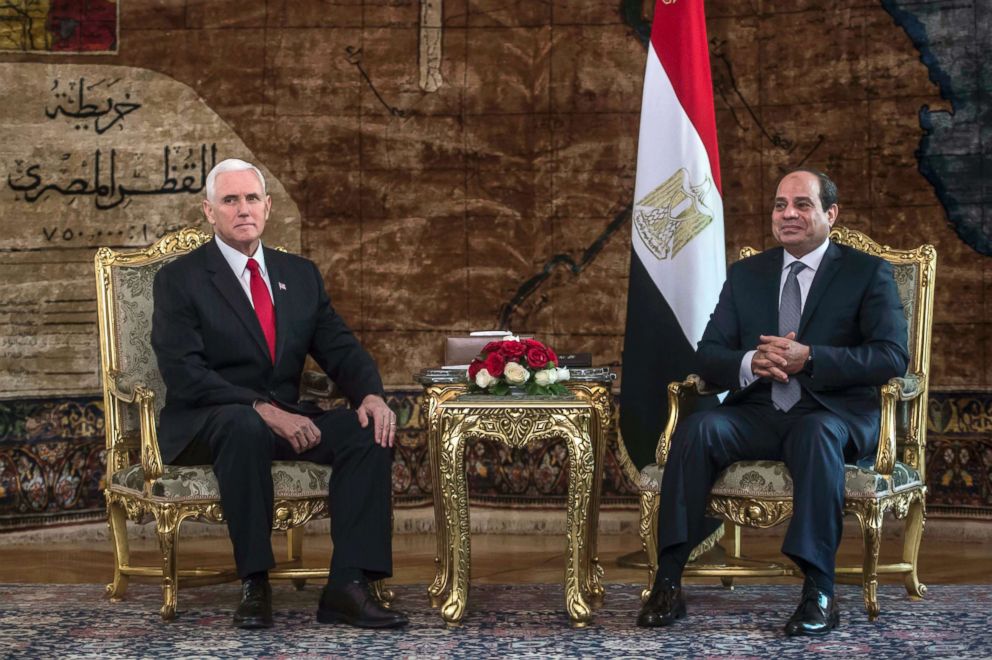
(233, 324)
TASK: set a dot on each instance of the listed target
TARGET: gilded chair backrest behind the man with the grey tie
(914, 272)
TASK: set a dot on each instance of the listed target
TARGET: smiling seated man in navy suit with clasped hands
(802, 335)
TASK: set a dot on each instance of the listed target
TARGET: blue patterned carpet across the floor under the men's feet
(54, 621)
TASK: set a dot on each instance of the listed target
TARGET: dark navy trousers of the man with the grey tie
(814, 444)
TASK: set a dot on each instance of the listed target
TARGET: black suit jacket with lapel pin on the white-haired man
(211, 350)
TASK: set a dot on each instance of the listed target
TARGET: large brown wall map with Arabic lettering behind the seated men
(431, 213)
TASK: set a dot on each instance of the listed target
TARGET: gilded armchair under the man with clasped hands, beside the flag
(759, 493)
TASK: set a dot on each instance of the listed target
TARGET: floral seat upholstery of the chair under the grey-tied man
(771, 479)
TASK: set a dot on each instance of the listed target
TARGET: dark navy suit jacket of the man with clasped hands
(852, 319)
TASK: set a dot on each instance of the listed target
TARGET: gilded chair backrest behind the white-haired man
(124, 315)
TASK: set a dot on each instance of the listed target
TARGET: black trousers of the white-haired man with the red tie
(241, 448)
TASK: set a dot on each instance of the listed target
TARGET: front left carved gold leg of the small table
(454, 502)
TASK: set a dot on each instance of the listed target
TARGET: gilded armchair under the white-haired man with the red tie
(138, 486)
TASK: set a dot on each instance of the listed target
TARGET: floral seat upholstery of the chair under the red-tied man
(290, 480)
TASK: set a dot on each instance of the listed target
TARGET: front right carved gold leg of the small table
(581, 463)
